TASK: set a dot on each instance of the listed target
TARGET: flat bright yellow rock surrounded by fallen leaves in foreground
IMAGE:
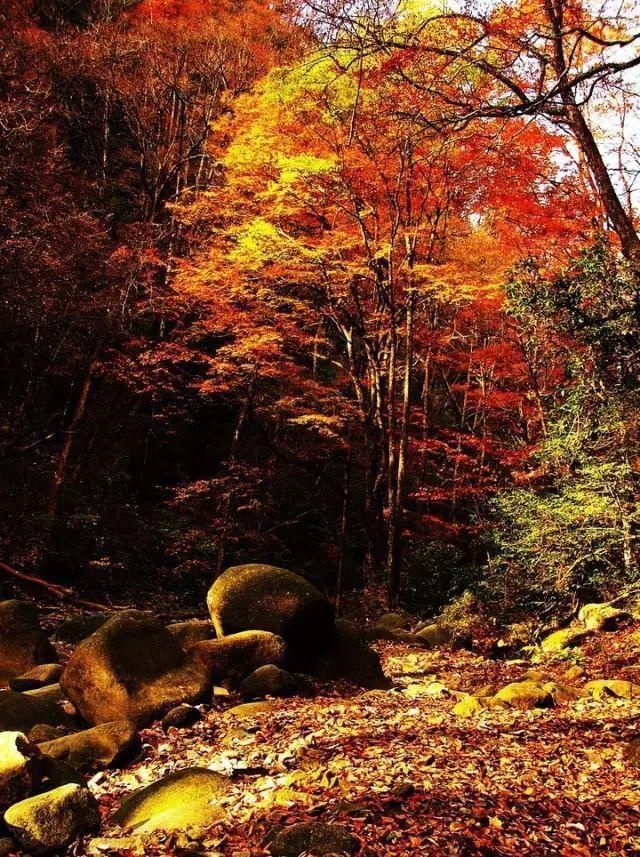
(184, 800)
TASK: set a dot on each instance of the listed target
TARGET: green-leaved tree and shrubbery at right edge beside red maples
(572, 532)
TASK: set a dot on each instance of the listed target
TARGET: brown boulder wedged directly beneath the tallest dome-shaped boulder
(236, 656)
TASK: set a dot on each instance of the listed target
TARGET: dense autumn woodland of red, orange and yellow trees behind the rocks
(357, 296)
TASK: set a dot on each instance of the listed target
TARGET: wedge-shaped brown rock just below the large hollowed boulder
(106, 746)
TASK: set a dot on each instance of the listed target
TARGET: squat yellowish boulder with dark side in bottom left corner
(51, 821)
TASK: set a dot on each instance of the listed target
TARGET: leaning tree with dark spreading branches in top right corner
(548, 59)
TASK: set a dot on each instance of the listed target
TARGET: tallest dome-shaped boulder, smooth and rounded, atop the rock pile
(265, 598)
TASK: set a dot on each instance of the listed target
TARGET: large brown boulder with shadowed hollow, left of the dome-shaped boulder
(131, 669)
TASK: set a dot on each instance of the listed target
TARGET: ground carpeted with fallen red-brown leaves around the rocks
(406, 775)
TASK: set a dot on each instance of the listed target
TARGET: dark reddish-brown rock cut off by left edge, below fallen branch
(23, 643)
